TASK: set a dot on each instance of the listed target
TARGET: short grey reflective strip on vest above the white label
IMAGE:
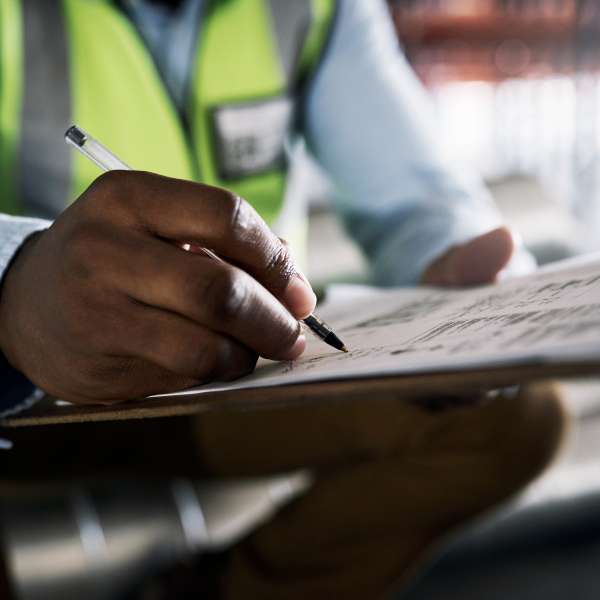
(291, 24)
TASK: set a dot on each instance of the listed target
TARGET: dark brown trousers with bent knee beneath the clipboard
(393, 478)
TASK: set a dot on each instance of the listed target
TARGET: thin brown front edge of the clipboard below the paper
(414, 387)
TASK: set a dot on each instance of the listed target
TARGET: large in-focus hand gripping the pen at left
(104, 306)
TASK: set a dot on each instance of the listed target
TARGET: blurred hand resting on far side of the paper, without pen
(476, 262)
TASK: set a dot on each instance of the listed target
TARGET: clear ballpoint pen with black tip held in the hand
(107, 161)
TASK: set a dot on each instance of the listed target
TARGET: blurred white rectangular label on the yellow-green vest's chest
(251, 137)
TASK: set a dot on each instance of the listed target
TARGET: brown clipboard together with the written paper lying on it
(501, 324)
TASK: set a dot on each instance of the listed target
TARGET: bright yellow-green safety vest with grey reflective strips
(82, 61)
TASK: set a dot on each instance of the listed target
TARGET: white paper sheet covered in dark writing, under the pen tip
(552, 315)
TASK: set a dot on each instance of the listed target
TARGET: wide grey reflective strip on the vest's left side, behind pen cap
(44, 159)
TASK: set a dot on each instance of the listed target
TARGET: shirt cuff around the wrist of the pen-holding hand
(16, 391)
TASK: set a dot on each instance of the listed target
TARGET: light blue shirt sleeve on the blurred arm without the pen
(370, 124)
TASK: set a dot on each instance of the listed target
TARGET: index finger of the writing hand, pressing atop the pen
(220, 220)
